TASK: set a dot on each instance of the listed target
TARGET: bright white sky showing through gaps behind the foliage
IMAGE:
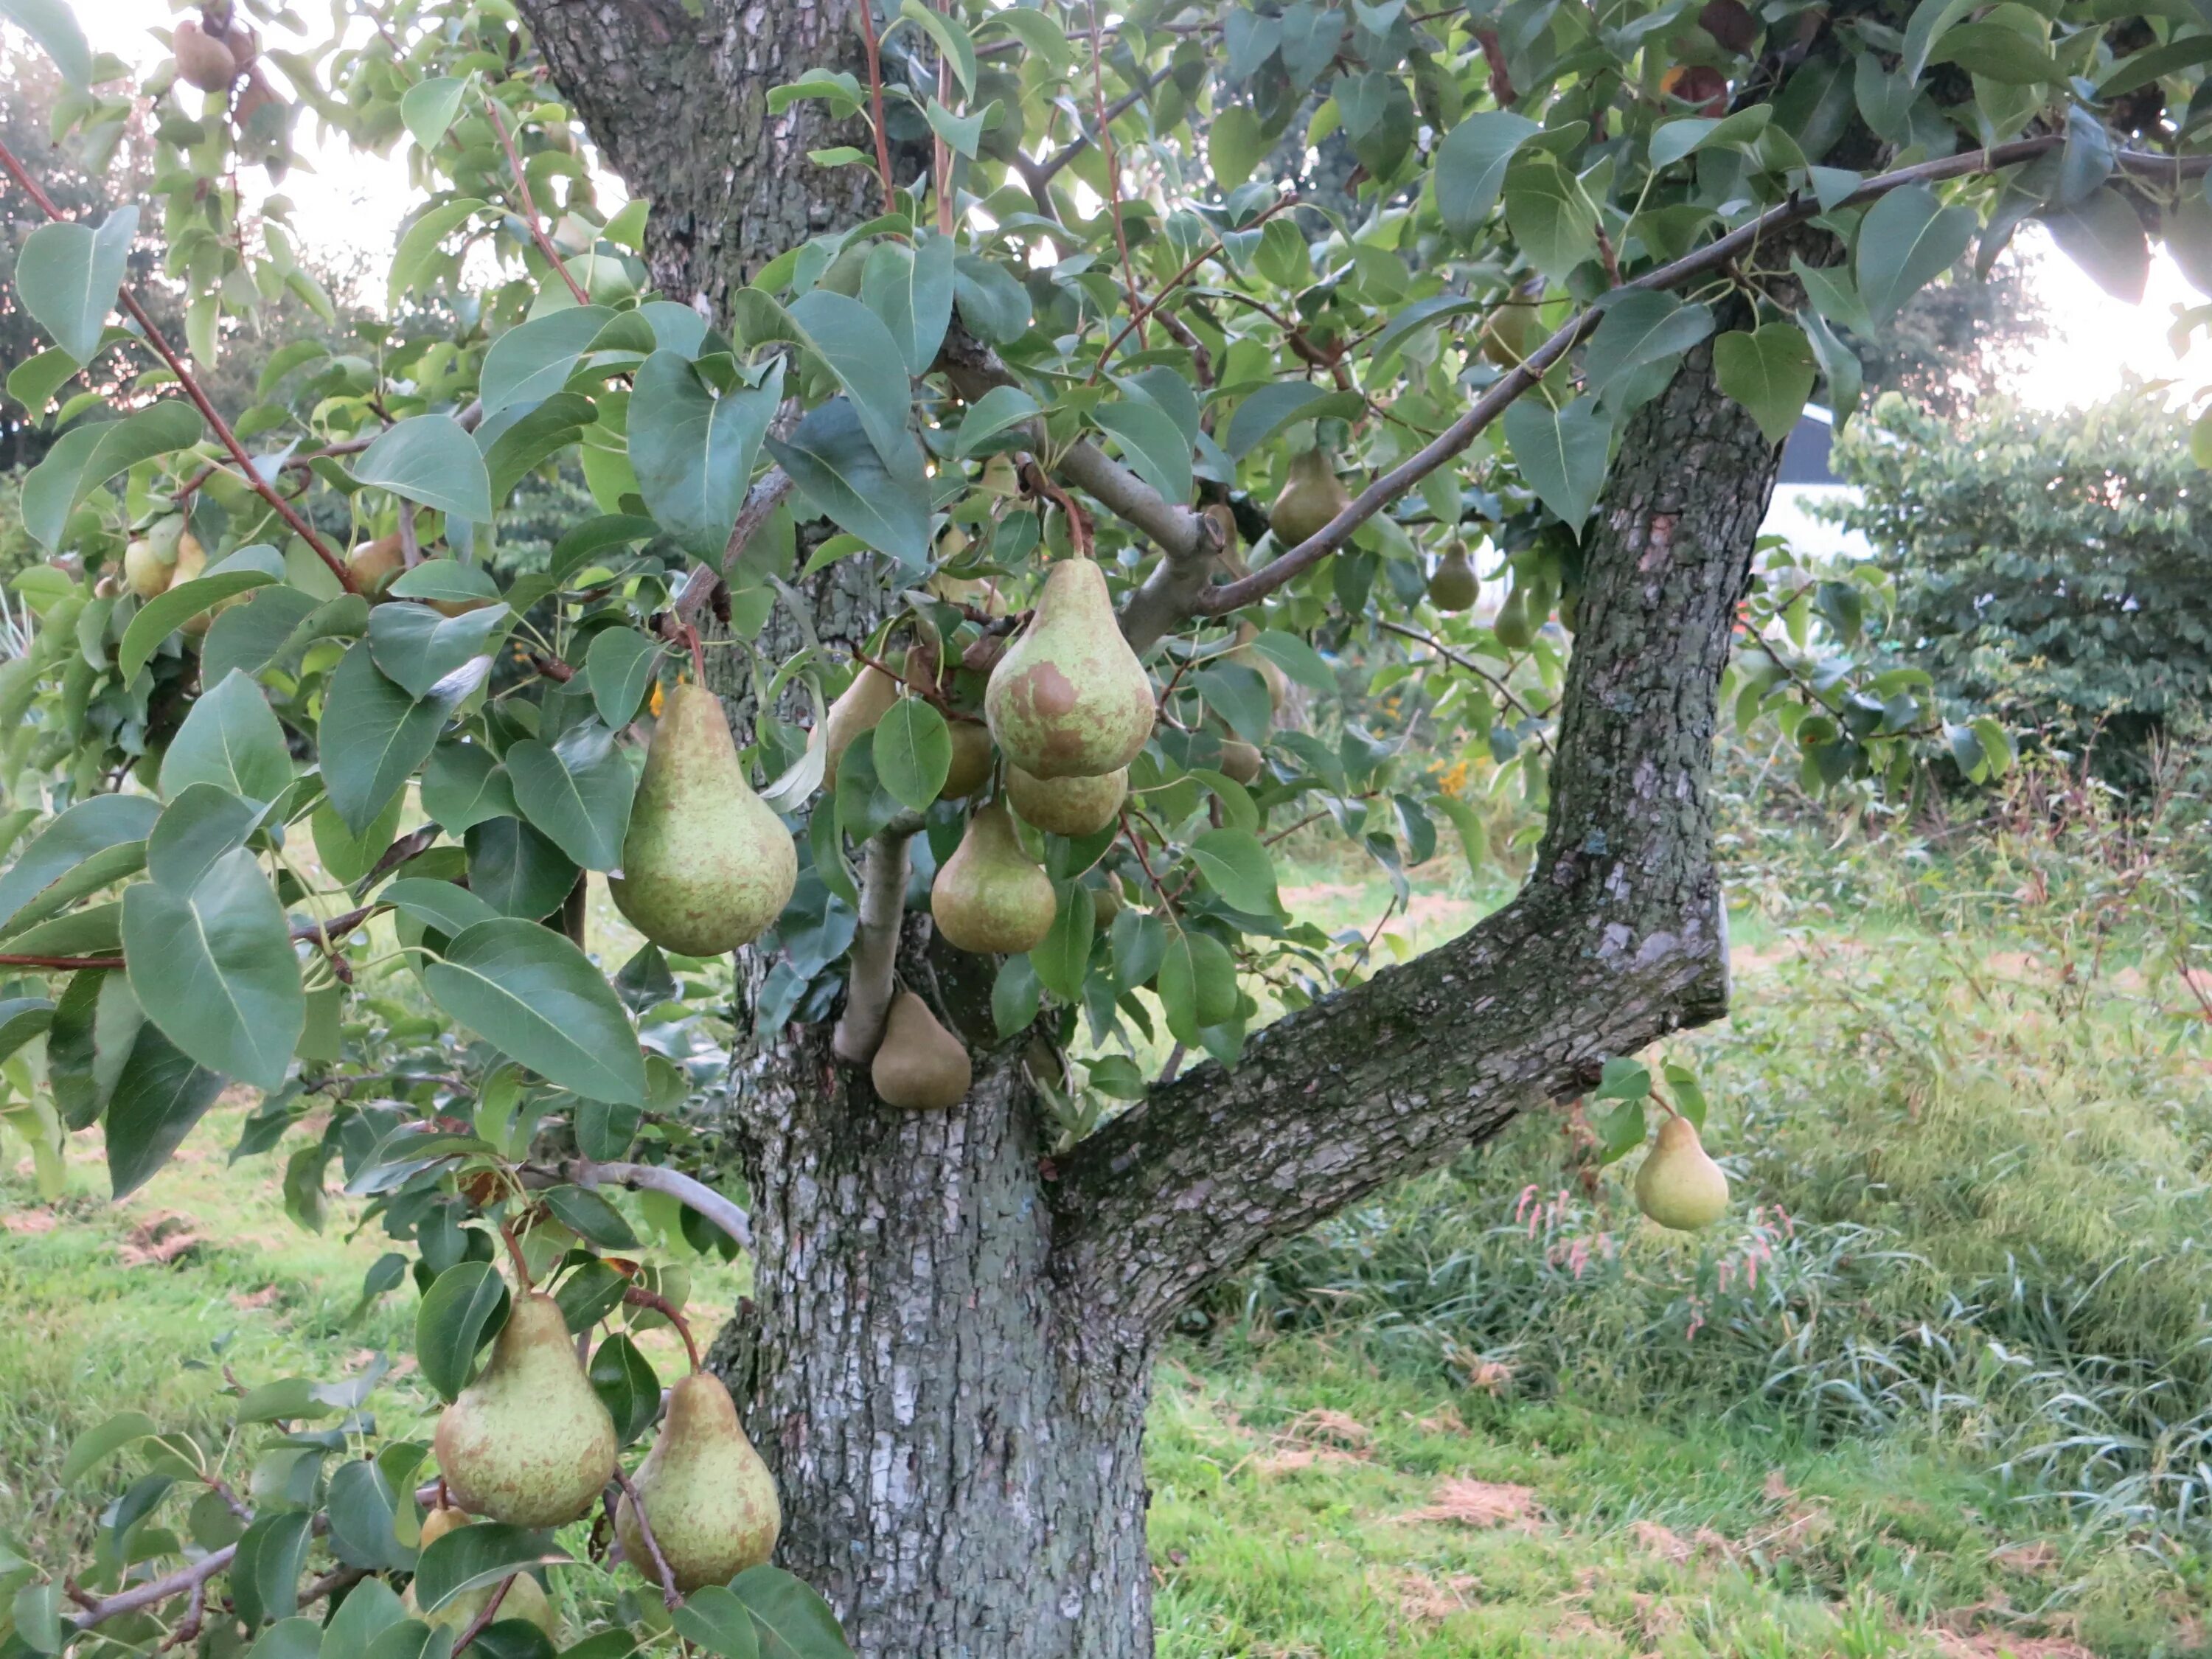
(344, 200)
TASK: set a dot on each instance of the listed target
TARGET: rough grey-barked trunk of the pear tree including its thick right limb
(952, 1335)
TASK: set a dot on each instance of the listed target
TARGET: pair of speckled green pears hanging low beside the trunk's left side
(532, 1446)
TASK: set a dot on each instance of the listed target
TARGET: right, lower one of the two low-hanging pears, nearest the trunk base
(709, 1496)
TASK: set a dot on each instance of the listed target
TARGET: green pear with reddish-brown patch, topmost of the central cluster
(1070, 700)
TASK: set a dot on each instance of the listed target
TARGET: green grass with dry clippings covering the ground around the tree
(1937, 1388)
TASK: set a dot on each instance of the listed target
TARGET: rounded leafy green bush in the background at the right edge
(2054, 570)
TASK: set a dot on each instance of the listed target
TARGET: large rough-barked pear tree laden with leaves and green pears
(1023, 499)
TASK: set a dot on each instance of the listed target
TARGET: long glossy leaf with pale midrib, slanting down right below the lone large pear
(532, 994)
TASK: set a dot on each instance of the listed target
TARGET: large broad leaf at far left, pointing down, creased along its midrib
(216, 970)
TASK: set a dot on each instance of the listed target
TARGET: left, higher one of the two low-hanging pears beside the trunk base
(528, 1441)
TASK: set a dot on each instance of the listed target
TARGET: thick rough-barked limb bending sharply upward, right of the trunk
(1616, 941)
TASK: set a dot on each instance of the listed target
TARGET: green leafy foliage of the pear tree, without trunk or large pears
(284, 629)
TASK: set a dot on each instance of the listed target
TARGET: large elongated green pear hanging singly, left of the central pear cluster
(707, 864)
